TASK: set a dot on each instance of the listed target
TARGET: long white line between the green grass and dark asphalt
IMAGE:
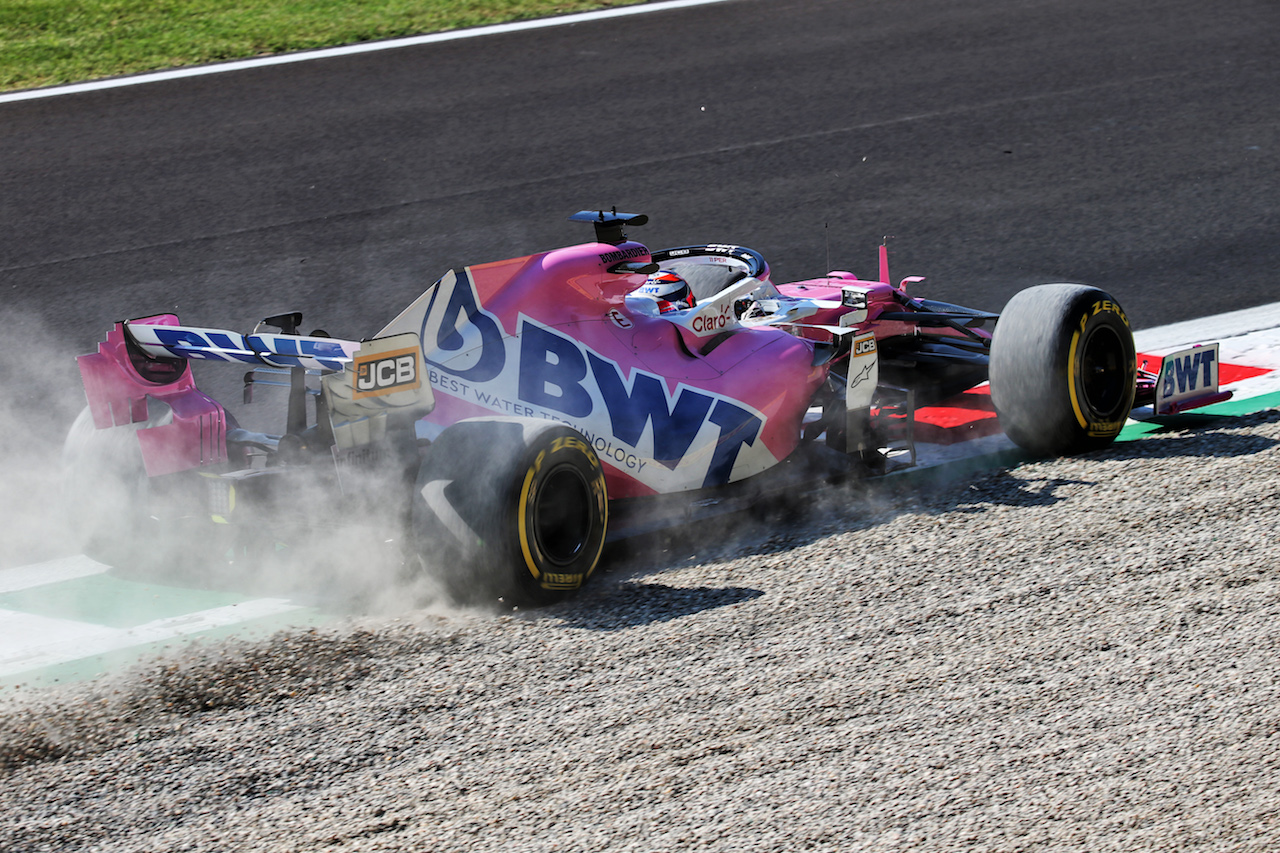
(350, 51)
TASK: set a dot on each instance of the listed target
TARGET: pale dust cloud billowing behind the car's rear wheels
(319, 551)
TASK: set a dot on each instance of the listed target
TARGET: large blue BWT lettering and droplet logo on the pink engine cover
(557, 375)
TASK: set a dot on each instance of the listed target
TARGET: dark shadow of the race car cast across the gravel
(623, 597)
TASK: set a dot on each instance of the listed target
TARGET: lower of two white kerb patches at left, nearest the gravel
(53, 641)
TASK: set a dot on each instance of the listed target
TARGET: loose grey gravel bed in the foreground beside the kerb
(1076, 655)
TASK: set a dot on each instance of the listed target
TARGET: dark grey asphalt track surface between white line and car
(1000, 144)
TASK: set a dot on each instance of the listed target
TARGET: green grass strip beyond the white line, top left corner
(45, 43)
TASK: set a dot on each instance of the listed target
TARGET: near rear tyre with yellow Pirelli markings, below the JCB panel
(510, 509)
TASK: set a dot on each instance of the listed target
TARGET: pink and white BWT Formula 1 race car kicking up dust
(519, 409)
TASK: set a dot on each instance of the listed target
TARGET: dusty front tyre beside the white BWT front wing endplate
(1063, 370)
